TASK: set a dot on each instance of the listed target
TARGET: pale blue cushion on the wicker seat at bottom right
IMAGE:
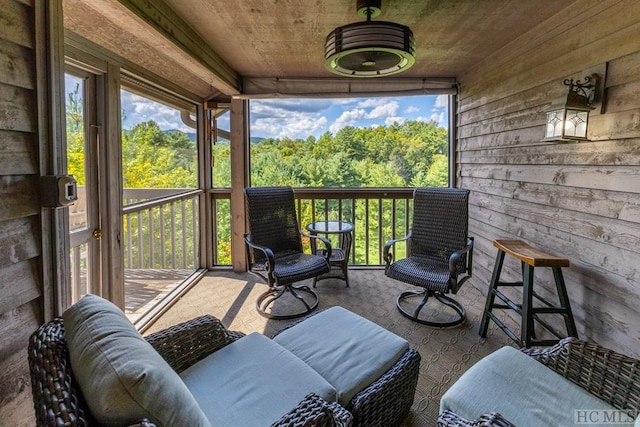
(524, 391)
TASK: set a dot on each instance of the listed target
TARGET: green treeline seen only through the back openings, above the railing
(410, 154)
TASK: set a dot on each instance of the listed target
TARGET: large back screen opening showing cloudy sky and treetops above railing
(350, 142)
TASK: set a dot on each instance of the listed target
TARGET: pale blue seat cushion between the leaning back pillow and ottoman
(252, 382)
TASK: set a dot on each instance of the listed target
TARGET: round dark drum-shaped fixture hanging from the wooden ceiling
(369, 49)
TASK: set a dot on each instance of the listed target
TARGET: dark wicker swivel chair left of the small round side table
(274, 250)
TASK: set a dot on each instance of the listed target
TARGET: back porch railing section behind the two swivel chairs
(378, 214)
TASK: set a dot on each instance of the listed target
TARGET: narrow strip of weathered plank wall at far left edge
(20, 214)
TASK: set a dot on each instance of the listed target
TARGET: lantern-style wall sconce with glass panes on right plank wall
(568, 119)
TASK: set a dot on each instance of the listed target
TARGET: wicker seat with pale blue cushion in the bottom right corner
(573, 382)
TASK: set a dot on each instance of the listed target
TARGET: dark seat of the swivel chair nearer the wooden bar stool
(421, 271)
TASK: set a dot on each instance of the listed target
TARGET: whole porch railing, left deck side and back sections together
(161, 227)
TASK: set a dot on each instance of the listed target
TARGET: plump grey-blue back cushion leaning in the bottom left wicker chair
(123, 378)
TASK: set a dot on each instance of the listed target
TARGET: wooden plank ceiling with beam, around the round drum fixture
(285, 38)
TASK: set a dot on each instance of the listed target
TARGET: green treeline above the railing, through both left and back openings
(410, 154)
